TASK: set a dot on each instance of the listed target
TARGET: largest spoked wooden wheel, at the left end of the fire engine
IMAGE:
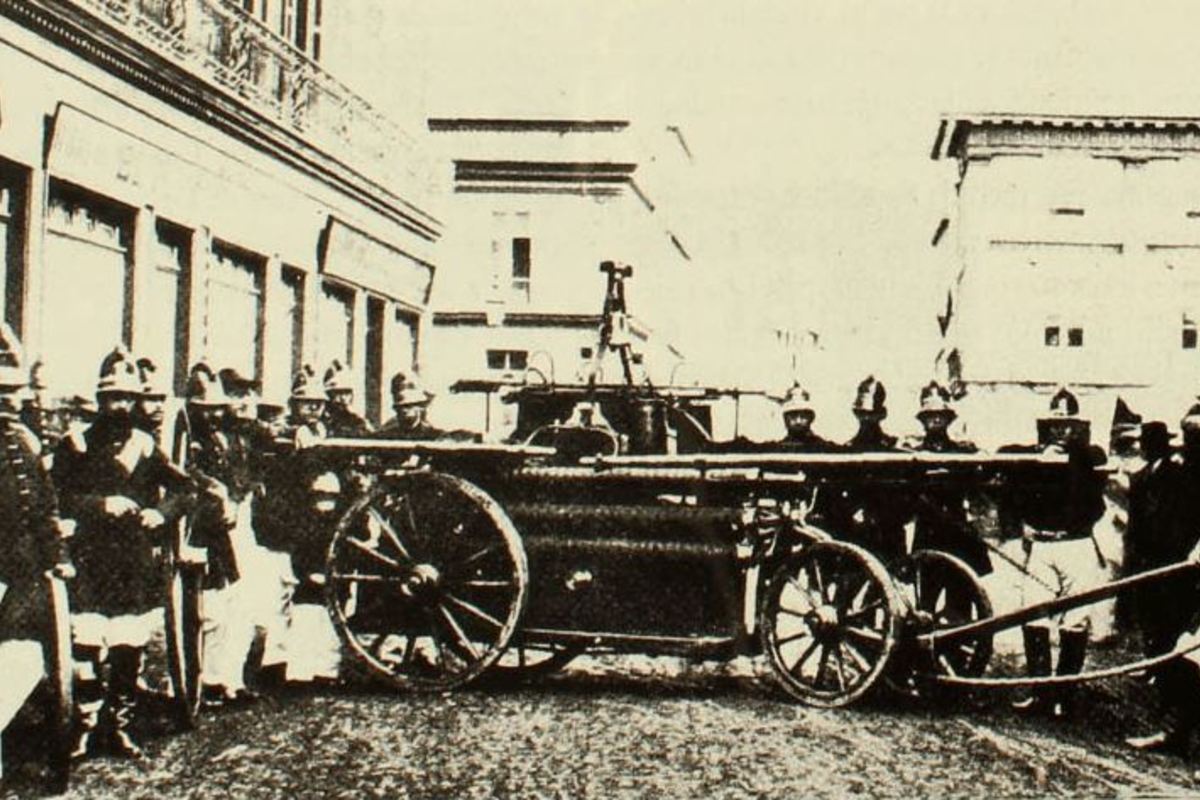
(427, 581)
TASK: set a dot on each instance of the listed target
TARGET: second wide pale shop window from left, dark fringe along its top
(235, 311)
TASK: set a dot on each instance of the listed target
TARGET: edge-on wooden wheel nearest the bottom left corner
(61, 673)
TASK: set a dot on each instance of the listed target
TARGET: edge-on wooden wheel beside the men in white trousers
(184, 606)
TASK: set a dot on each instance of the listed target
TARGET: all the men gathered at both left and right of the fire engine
(103, 507)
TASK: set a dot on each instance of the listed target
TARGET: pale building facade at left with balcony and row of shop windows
(181, 176)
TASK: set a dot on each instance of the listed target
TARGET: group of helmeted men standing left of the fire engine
(103, 509)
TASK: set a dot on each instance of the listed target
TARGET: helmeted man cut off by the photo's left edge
(31, 531)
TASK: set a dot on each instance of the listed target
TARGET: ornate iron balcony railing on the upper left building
(219, 43)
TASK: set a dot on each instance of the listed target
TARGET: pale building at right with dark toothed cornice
(1073, 252)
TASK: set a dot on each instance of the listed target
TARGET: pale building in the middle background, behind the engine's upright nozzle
(533, 208)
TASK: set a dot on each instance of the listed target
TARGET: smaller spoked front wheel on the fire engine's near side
(830, 621)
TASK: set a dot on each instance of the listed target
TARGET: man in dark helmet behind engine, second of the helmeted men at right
(873, 518)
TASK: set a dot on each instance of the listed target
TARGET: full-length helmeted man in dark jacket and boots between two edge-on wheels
(124, 495)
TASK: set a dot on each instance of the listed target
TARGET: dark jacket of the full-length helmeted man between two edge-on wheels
(119, 572)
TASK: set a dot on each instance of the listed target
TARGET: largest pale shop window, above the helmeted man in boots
(87, 287)
